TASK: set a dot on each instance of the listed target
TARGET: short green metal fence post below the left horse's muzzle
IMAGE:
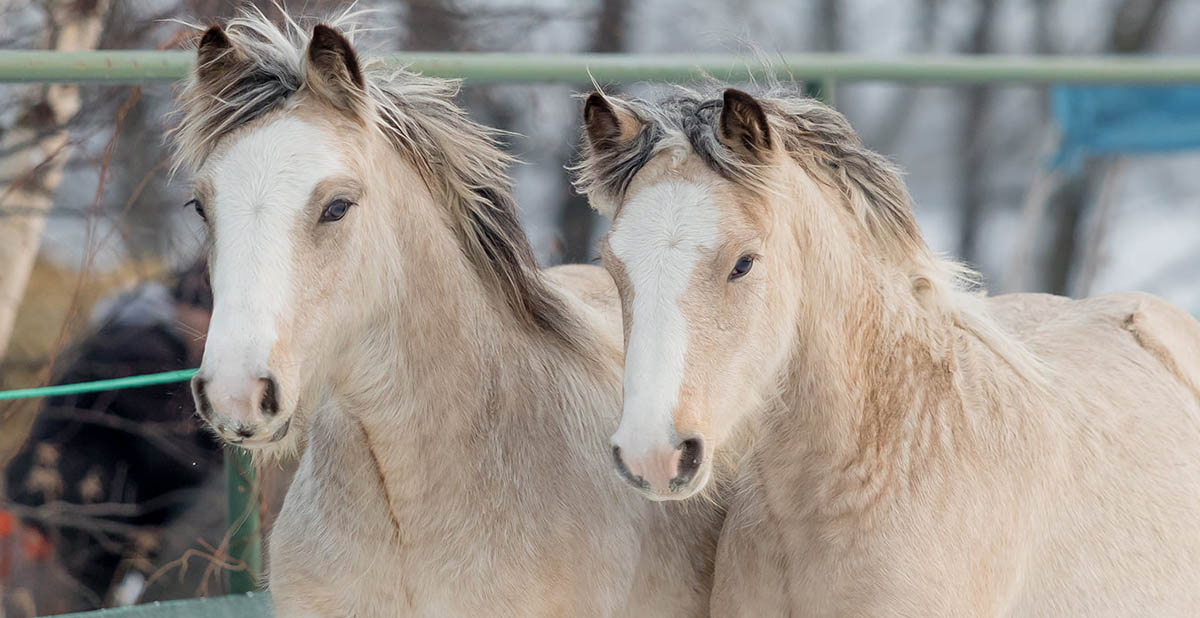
(242, 515)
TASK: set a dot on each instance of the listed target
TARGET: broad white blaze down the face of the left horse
(260, 203)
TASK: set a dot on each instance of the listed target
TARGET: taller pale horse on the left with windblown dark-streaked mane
(379, 305)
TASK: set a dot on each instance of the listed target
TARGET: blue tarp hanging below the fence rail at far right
(1112, 121)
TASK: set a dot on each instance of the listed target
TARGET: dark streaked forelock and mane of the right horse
(813, 134)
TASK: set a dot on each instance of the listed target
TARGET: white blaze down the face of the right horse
(659, 238)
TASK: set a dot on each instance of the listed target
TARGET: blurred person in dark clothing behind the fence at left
(106, 471)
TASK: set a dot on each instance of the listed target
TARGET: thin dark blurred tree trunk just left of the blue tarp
(973, 194)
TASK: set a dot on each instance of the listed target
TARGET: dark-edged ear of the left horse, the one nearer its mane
(333, 71)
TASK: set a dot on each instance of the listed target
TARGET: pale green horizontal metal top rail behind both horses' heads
(135, 67)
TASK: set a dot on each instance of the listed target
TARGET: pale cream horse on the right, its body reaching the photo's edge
(921, 449)
